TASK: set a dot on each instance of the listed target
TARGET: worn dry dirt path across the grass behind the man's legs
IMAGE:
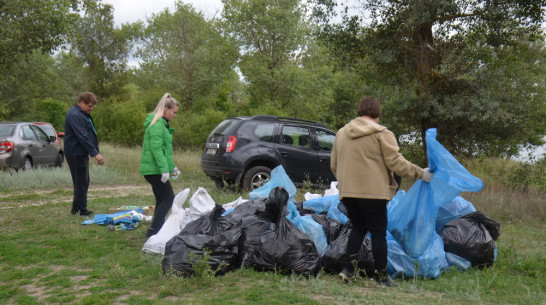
(40, 197)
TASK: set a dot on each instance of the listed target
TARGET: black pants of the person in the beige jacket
(367, 215)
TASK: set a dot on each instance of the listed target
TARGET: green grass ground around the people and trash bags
(48, 257)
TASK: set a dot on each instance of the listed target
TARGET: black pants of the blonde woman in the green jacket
(164, 197)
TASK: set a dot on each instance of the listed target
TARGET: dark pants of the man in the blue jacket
(79, 170)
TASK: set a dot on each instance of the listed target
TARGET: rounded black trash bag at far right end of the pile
(472, 237)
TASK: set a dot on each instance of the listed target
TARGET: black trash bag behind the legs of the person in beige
(333, 258)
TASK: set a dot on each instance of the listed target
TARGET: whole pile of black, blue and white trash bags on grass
(430, 229)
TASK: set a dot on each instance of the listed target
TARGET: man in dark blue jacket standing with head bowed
(80, 142)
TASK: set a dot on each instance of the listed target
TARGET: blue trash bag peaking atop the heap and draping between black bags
(307, 224)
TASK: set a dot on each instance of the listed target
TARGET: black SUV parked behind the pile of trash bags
(243, 150)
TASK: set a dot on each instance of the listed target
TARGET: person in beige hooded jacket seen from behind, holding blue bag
(364, 157)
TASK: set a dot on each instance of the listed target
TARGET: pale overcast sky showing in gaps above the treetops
(133, 10)
